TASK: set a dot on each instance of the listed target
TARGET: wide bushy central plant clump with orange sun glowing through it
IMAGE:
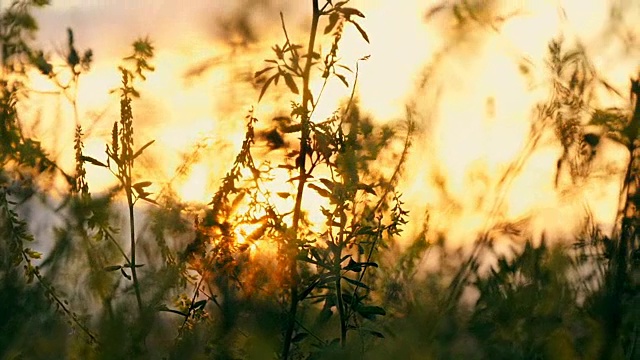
(319, 269)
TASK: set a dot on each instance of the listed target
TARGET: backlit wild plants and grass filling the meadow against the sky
(250, 278)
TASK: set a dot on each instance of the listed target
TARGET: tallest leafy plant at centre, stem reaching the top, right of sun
(332, 144)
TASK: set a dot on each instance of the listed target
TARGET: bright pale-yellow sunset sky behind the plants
(473, 115)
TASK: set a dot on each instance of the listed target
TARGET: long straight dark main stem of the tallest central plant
(293, 244)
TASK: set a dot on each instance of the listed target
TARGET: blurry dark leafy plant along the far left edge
(22, 160)
